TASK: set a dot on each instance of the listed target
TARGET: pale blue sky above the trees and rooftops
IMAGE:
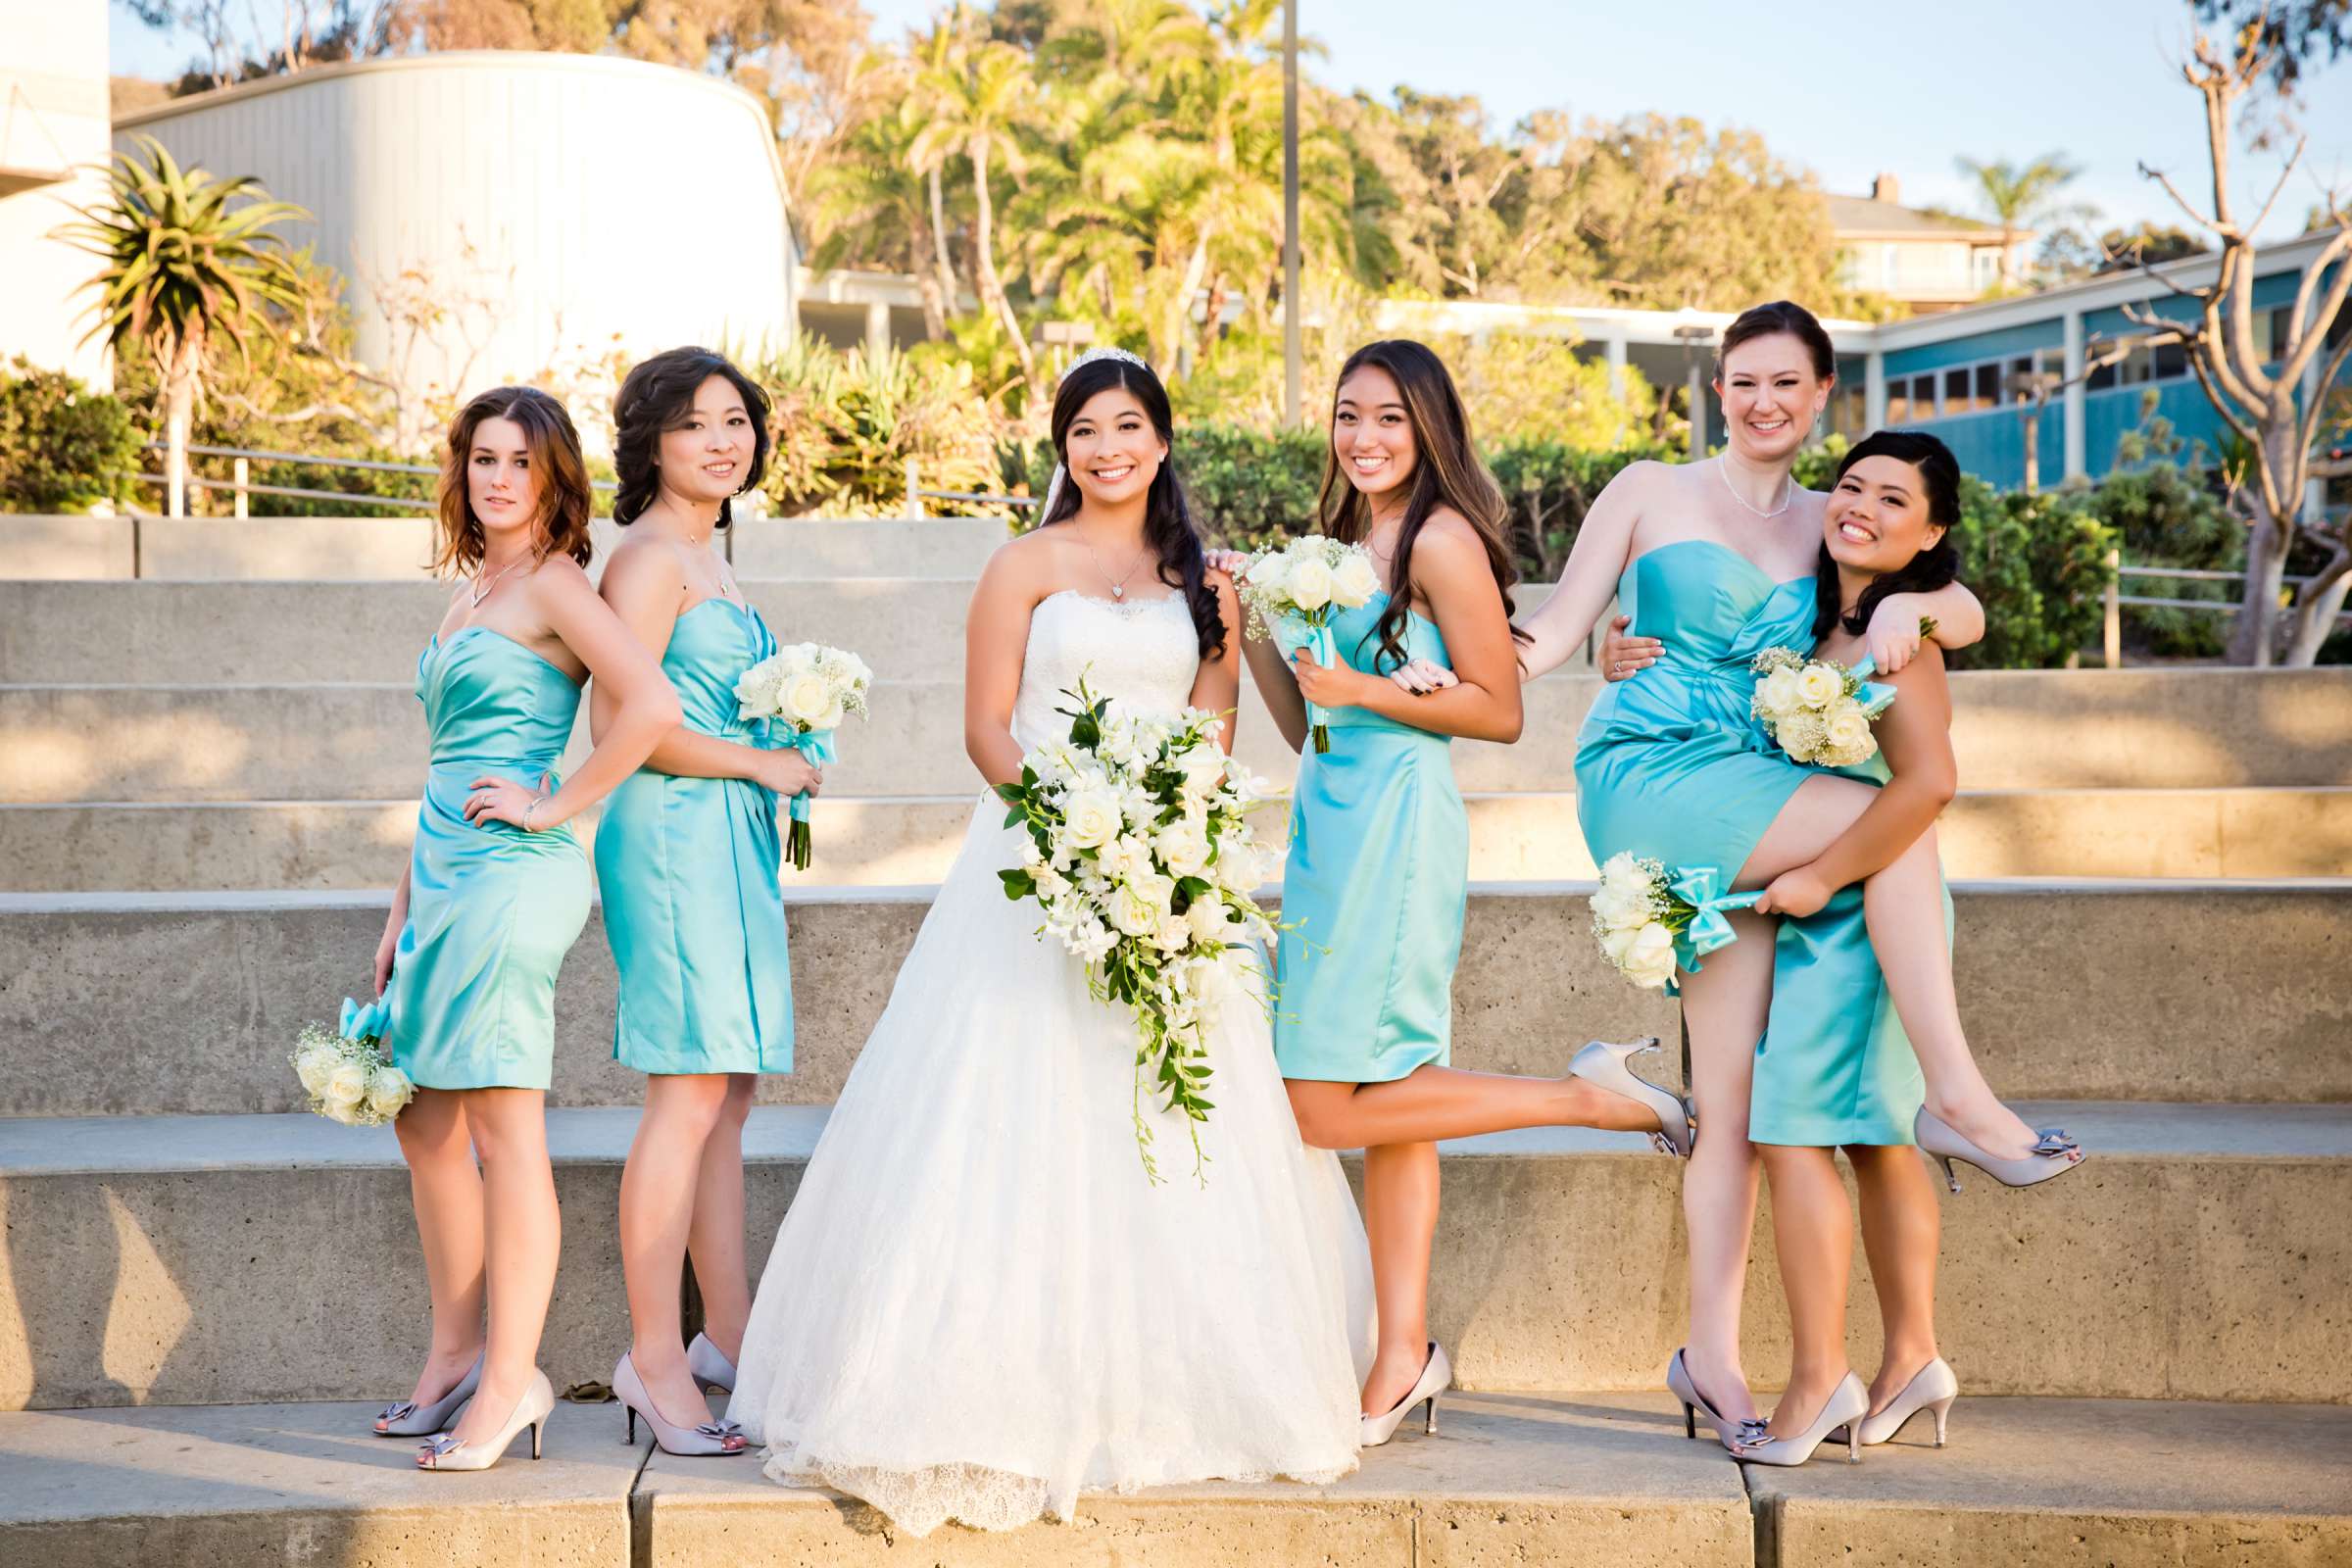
(1845, 88)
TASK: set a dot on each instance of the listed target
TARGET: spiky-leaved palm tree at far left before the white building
(185, 267)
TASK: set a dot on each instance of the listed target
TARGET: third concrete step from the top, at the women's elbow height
(368, 739)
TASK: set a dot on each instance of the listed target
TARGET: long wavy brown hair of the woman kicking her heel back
(1445, 474)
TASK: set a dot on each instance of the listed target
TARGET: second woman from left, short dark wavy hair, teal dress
(688, 859)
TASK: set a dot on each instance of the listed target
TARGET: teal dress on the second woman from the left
(688, 871)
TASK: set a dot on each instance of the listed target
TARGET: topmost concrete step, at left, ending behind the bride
(401, 549)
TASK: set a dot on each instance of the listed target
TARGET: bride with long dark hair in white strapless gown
(980, 1306)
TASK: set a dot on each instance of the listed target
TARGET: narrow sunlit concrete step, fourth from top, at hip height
(893, 840)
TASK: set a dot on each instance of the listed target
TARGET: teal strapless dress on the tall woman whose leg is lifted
(1673, 765)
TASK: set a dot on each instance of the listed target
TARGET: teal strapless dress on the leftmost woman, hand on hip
(493, 911)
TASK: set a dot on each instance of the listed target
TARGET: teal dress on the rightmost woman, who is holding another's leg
(1836, 1064)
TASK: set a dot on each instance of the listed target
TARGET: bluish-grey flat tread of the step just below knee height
(601, 1134)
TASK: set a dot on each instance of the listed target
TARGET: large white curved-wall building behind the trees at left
(505, 215)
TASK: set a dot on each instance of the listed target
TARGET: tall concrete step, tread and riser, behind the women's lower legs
(215, 1259)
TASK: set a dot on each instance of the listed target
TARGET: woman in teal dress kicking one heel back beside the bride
(1379, 862)
